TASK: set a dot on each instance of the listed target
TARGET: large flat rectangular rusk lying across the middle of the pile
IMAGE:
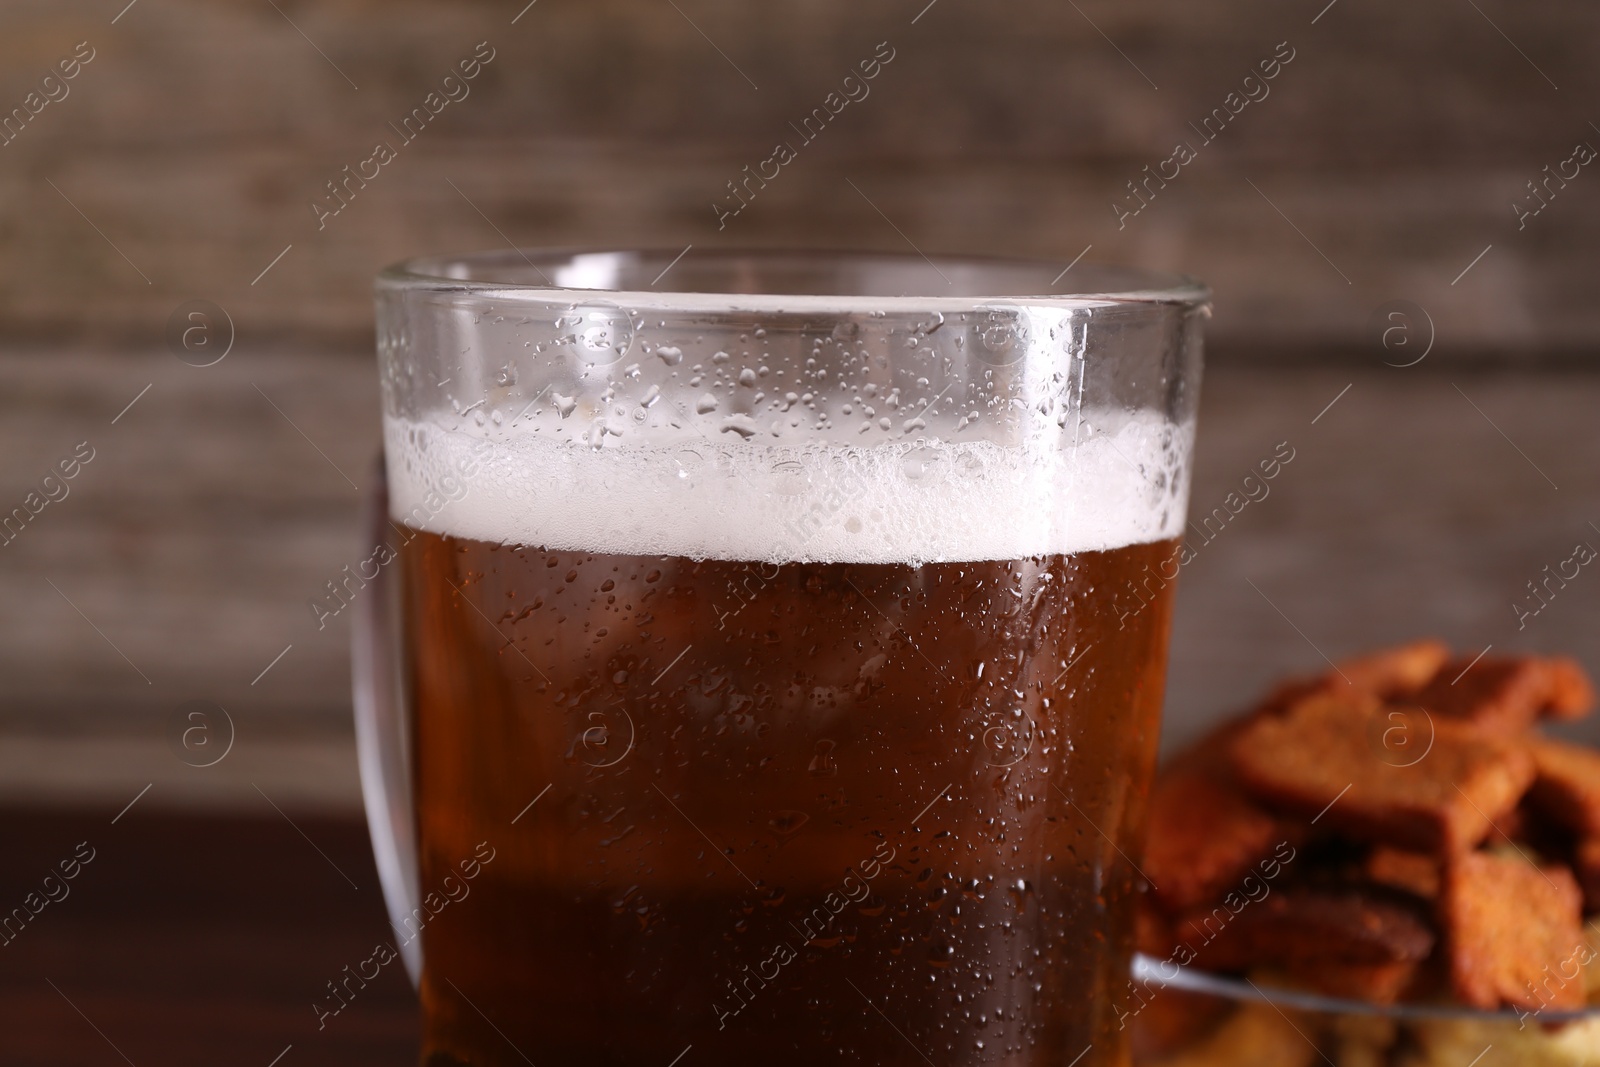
(1383, 775)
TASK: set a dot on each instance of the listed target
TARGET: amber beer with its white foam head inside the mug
(846, 793)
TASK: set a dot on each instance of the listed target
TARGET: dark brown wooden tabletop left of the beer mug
(191, 940)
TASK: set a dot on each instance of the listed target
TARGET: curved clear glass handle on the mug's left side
(382, 732)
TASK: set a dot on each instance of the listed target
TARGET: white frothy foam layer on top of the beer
(892, 503)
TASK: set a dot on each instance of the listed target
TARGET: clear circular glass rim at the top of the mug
(870, 281)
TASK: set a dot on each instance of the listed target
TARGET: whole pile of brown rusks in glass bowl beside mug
(1398, 829)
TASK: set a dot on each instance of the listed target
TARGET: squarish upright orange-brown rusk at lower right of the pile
(1514, 933)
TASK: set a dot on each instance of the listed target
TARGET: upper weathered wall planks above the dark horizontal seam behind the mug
(1385, 159)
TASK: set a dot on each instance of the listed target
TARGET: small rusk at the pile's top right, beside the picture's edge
(1506, 697)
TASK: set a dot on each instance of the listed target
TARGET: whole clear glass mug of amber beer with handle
(769, 653)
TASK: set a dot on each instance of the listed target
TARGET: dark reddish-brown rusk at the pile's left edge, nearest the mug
(1202, 837)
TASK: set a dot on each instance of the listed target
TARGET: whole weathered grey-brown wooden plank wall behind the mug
(188, 153)
